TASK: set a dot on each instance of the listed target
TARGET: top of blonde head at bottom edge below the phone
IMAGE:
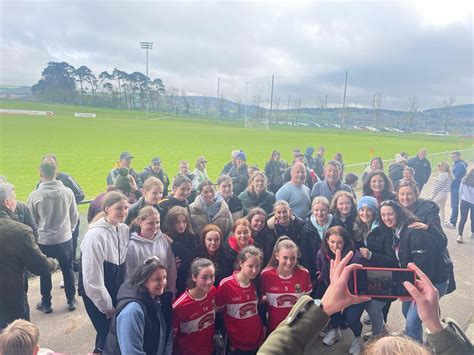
(392, 345)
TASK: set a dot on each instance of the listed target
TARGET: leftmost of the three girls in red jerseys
(194, 312)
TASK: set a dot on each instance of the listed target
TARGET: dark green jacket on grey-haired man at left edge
(18, 252)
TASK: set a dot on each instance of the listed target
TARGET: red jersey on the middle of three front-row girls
(241, 319)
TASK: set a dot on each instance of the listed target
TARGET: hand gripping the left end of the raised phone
(337, 296)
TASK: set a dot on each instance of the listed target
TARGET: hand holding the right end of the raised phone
(426, 298)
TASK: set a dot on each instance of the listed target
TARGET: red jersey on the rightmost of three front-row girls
(282, 293)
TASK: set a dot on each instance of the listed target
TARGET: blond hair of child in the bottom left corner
(19, 338)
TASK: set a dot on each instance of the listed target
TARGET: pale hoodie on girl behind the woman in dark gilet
(141, 248)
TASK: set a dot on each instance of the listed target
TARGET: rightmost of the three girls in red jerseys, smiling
(283, 281)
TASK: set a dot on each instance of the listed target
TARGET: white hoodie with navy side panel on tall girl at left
(104, 250)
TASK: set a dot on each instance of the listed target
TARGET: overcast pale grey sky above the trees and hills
(399, 49)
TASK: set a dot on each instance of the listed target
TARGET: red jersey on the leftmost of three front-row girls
(193, 323)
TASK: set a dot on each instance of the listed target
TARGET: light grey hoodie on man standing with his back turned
(55, 212)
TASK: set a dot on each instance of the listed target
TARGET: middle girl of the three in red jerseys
(237, 296)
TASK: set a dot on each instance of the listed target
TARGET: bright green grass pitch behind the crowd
(87, 148)
